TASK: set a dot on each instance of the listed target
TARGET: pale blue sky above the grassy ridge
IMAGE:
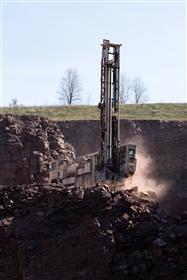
(41, 40)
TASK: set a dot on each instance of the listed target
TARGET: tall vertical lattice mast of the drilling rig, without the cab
(109, 105)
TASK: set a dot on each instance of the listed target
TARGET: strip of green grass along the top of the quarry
(159, 111)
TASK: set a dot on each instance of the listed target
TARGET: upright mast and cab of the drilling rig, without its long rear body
(117, 160)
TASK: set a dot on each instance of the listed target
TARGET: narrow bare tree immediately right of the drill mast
(125, 88)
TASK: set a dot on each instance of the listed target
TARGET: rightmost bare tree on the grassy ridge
(138, 91)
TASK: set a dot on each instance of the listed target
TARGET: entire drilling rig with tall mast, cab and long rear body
(113, 161)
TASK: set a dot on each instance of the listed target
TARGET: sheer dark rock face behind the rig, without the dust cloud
(165, 142)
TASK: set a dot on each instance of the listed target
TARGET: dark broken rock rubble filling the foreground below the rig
(51, 232)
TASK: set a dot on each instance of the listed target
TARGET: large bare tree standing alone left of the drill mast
(70, 87)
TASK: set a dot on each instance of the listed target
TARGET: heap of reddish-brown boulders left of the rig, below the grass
(27, 145)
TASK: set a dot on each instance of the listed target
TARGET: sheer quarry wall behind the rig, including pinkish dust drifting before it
(161, 151)
